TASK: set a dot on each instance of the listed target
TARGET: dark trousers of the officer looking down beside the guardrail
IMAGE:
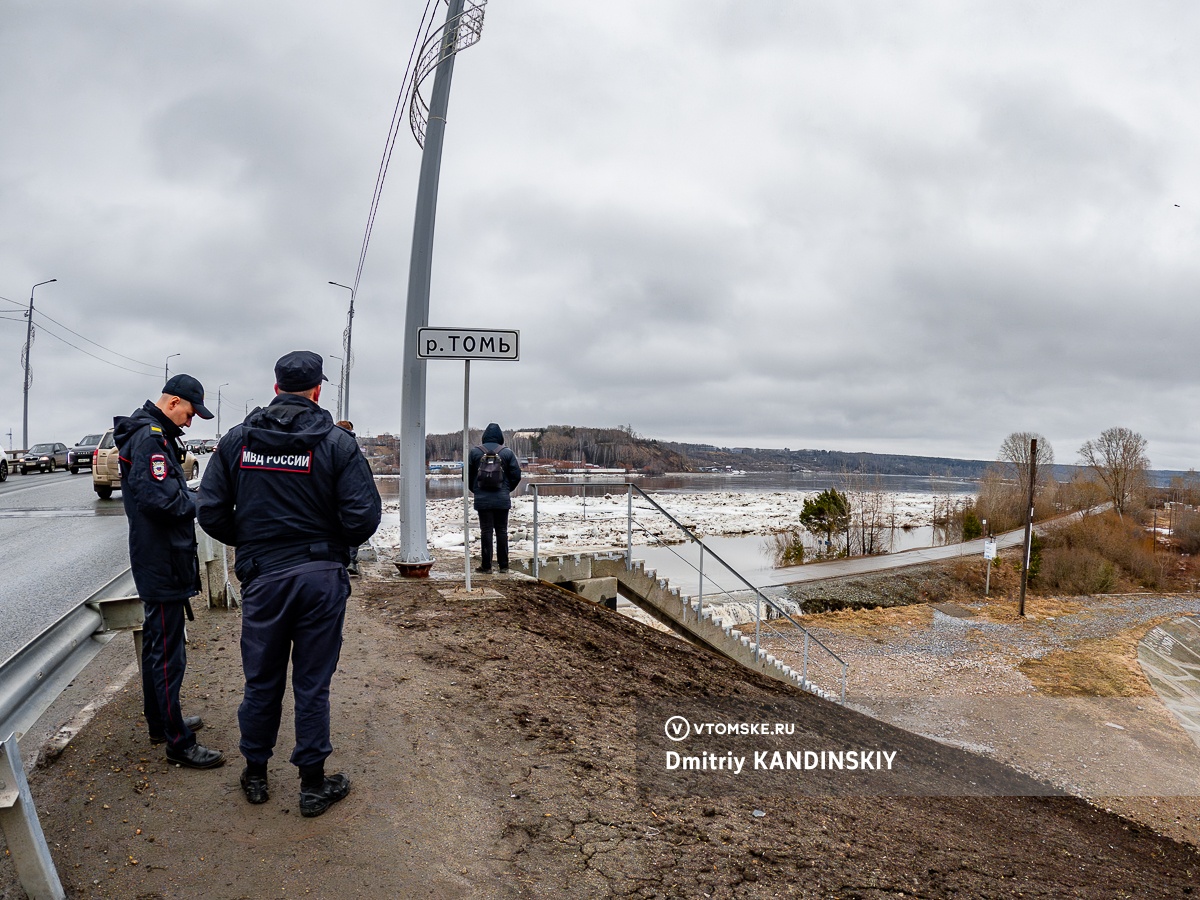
(164, 661)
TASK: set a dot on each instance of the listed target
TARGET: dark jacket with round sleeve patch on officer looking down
(160, 509)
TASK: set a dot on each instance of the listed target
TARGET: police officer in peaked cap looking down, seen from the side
(161, 512)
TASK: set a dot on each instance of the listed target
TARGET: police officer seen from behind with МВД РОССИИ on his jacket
(292, 493)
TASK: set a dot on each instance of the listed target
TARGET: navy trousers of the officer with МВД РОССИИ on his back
(296, 613)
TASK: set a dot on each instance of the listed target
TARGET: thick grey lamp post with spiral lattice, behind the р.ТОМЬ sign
(461, 31)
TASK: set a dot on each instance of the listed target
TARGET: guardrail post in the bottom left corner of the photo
(23, 831)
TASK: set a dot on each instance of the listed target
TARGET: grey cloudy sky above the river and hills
(862, 226)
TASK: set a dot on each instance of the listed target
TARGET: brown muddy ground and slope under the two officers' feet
(494, 749)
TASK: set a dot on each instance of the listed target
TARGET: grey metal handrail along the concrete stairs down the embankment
(795, 640)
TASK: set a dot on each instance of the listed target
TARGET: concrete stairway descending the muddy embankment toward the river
(602, 577)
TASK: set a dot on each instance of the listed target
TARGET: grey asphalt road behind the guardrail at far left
(61, 544)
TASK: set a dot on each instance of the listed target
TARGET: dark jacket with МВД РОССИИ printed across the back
(289, 487)
